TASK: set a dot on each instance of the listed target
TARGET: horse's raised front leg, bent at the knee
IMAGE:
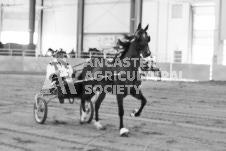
(141, 97)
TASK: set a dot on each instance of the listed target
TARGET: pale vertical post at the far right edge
(218, 43)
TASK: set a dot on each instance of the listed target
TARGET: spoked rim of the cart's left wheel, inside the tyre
(39, 110)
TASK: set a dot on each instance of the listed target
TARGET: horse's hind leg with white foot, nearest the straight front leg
(97, 106)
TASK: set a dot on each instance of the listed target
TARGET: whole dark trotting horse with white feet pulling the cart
(122, 77)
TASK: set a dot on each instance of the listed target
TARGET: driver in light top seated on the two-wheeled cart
(58, 71)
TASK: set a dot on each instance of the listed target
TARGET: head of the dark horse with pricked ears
(142, 38)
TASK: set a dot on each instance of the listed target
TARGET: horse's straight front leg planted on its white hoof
(123, 131)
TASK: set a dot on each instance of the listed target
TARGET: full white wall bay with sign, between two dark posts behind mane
(104, 21)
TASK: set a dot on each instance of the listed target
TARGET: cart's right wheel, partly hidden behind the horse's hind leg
(89, 112)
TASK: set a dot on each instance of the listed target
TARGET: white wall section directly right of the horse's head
(168, 34)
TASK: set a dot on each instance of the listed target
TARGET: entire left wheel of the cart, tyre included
(40, 111)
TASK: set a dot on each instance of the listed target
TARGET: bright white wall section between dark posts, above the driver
(59, 25)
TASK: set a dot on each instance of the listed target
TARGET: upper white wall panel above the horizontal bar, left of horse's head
(107, 16)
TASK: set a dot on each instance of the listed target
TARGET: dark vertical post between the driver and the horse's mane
(80, 26)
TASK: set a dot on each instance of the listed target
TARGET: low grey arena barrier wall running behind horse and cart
(33, 65)
